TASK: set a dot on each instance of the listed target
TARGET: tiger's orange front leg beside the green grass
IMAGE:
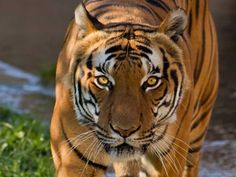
(76, 150)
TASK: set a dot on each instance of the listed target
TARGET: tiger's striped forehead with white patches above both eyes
(128, 49)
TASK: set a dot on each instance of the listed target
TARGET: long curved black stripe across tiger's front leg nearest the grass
(80, 155)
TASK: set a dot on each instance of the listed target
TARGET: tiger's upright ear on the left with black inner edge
(87, 23)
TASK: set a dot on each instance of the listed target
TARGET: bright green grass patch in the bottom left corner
(24, 146)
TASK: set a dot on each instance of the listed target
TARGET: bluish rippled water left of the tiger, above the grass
(23, 93)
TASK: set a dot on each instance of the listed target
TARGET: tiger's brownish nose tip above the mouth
(124, 132)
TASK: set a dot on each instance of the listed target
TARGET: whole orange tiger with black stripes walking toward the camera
(136, 82)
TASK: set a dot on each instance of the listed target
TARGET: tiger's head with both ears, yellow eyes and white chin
(128, 80)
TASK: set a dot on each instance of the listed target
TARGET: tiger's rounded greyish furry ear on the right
(174, 24)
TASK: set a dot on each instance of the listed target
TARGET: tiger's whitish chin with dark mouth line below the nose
(124, 152)
